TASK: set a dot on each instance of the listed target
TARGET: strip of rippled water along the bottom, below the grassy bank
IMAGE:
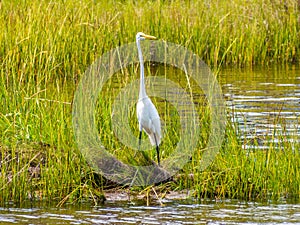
(174, 212)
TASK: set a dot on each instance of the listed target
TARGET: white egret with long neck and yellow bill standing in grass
(147, 114)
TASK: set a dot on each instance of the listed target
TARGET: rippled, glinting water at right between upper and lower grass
(264, 103)
